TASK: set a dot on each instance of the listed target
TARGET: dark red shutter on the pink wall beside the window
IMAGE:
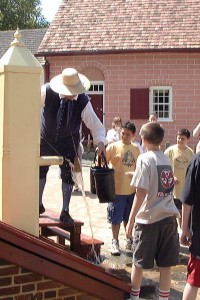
(139, 103)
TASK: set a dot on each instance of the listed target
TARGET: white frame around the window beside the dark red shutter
(151, 103)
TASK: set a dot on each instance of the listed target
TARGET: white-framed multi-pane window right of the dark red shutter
(161, 102)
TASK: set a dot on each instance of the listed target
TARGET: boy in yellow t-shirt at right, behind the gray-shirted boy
(180, 155)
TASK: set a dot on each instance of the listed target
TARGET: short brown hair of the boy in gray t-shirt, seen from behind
(153, 133)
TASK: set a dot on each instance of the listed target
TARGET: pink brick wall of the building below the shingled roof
(122, 72)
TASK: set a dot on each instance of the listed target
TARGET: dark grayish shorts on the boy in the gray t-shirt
(156, 242)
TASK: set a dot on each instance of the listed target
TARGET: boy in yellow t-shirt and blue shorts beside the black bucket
(122, 155)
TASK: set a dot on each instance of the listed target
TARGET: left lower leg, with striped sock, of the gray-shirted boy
(136, 280)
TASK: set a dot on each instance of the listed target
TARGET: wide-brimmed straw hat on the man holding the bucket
(70, 83)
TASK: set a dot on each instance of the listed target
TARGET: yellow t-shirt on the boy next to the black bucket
(122, 159)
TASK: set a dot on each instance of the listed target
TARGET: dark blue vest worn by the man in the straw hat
(68, 133)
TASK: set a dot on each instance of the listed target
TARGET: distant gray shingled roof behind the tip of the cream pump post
(30, 37)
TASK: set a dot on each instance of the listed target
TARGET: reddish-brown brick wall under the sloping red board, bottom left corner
(17, 283)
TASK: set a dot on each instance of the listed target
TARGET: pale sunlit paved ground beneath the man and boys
(93, 214)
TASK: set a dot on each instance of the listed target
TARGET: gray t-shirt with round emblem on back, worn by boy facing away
(154, 174)
